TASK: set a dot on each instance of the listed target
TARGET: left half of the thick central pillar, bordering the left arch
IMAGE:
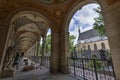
(54, 58)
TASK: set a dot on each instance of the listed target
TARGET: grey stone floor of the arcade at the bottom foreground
(42, 74)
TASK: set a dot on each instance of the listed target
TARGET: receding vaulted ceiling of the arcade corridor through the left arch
(29, 29)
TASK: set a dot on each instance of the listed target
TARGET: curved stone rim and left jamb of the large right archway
(65, 35)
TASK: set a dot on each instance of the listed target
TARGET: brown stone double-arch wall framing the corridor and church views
(60, 15)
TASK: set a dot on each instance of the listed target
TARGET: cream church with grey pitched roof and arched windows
(90, 43)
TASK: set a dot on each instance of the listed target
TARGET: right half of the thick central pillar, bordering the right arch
(64, 51)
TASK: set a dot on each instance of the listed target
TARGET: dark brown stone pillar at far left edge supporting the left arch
(4, 37)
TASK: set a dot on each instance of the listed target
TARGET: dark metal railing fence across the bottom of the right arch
(91, 69)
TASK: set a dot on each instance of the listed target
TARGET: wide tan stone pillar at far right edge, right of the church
(112, 23)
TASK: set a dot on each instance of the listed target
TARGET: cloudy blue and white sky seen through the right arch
(83, 18)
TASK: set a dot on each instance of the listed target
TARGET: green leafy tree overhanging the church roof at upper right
(99, 23)
